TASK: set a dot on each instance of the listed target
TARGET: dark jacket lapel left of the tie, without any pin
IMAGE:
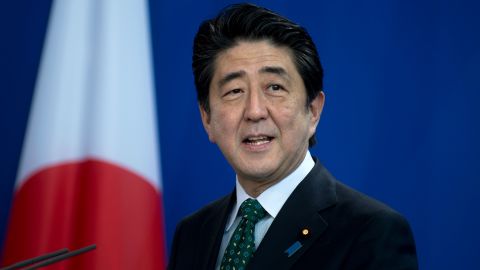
(212, 232)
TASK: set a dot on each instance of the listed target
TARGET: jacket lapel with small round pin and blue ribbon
(283, 243)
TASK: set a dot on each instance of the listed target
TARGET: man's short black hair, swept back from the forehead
(248, 22)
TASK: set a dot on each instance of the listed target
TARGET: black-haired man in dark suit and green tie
(259, 84)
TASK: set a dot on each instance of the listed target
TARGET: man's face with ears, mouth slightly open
(258, 115)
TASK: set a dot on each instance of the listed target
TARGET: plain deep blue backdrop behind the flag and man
(401, 121)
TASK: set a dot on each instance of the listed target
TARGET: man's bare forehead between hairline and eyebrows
(250, 56)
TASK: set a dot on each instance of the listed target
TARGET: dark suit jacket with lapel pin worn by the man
(348, 231)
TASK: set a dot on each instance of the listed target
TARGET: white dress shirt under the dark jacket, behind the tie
(272, 200)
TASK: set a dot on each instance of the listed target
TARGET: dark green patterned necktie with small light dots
(241, 247)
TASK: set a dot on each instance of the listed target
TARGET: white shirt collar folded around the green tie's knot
(273, 199)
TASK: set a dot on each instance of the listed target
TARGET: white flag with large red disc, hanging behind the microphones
(90, 169)
